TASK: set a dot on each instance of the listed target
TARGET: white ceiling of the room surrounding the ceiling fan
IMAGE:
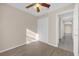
(43, 11)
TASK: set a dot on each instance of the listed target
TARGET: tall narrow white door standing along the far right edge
(75, 30)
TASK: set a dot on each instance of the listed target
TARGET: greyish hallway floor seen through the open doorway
(66, 43)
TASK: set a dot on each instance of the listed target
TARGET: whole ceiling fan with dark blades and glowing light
(38, 5)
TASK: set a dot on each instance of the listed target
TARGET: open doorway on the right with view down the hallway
(66, 31)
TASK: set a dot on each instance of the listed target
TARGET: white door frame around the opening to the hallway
(75, 28)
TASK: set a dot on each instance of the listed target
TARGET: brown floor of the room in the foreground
(37, 49)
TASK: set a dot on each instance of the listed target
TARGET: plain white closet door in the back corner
(43, 29)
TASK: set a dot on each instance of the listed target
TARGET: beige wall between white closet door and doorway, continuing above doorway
(52, 23)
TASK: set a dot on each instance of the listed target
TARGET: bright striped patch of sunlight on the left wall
(31, 36)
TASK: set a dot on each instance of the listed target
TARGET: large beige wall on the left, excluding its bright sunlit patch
(13, 25)
